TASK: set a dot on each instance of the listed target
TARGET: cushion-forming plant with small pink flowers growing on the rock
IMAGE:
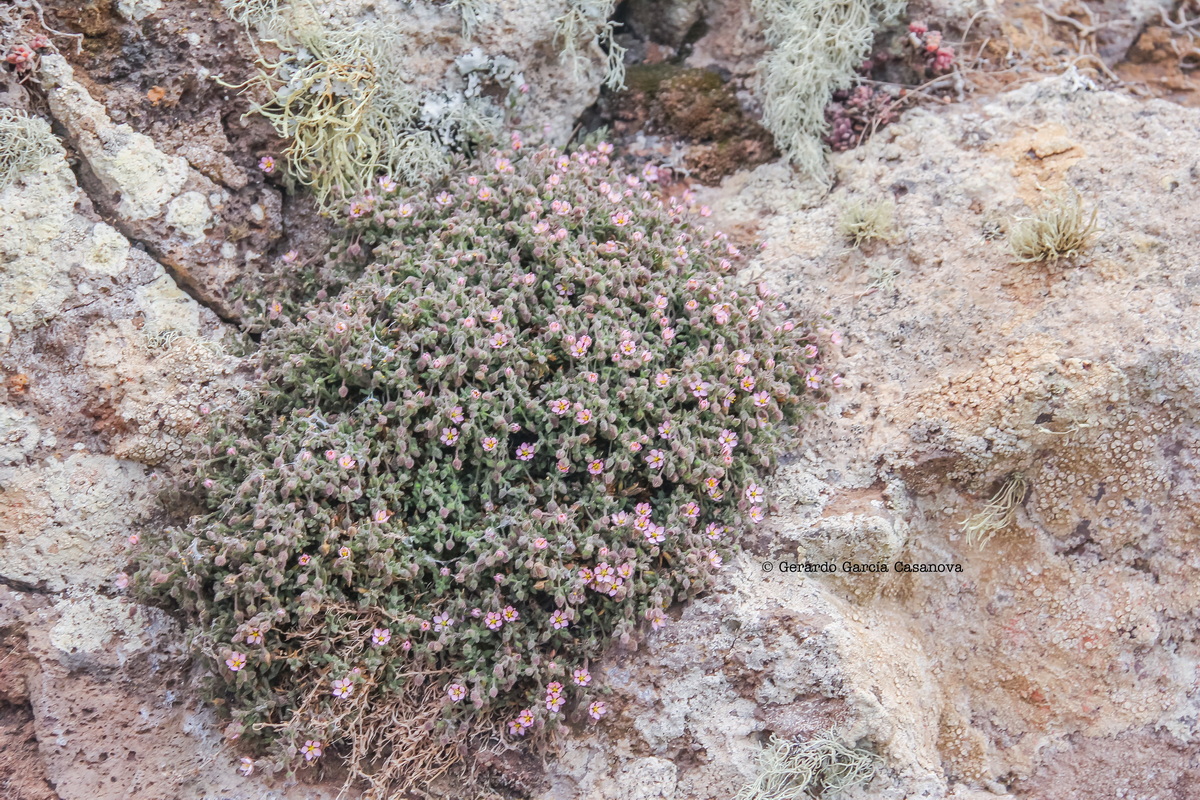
(539, 417)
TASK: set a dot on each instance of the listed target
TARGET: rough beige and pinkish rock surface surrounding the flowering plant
(1060, 663)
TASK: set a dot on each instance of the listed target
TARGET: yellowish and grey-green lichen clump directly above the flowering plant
(343, 101)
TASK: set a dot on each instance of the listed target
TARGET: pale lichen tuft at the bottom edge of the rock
(821, 767)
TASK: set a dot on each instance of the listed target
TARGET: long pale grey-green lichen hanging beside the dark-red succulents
(815, 47)
